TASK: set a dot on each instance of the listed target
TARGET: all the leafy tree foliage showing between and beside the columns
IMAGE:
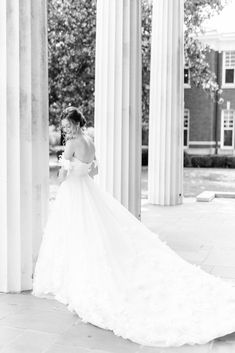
(71, 39)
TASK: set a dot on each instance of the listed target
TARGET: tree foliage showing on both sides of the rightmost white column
(195, 13)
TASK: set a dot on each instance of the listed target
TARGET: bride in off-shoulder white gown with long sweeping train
(106, 266)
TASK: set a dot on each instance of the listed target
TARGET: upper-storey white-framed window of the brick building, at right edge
(229, 68)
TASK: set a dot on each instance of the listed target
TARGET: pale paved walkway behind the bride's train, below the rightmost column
(202, 233)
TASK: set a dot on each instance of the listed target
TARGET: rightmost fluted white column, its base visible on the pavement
(166, 104)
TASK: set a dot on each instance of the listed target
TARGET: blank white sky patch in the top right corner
(225, 21)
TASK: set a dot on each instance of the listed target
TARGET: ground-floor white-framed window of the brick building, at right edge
(227, 129)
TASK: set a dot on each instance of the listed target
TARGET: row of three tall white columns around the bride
(24, 172)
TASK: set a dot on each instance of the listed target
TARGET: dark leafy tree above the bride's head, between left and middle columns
(71, 46)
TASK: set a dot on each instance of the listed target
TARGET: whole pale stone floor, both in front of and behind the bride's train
(202, 233)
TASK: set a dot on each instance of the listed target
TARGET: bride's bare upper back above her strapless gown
(84, 148)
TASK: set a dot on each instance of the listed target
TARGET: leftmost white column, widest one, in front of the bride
(24, 146)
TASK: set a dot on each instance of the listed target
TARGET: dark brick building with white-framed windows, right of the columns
(209, 127)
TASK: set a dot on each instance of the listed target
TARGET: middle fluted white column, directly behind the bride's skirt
(118, 99)
